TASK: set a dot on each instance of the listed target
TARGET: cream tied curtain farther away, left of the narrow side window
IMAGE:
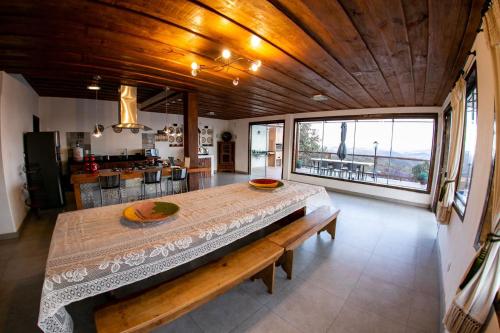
(447, 192)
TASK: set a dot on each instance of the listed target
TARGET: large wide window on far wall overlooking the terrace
(394, 151)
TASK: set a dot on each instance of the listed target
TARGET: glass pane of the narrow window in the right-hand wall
(469, 146)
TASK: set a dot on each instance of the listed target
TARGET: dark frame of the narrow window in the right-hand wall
(460, 213)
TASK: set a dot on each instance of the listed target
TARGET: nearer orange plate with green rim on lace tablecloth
(150, 211)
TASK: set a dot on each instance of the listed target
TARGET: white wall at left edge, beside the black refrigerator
(18, 104)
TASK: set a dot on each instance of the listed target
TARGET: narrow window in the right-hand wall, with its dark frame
(469, 145)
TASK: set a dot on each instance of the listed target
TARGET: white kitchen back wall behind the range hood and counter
(79, 115)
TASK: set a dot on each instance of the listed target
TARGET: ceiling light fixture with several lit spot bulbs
(227, 61)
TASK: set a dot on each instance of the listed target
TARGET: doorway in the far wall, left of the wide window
(266, 149)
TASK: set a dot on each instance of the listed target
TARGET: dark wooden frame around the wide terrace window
(433, 116)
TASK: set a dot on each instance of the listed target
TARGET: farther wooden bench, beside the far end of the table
(294, 234)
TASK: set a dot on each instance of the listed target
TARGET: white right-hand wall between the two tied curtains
(456, 240)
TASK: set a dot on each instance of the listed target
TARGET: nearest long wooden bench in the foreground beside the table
(173, 299)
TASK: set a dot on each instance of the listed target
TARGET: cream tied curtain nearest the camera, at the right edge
(478, 290)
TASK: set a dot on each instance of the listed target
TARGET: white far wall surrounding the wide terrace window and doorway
(239, 127)
